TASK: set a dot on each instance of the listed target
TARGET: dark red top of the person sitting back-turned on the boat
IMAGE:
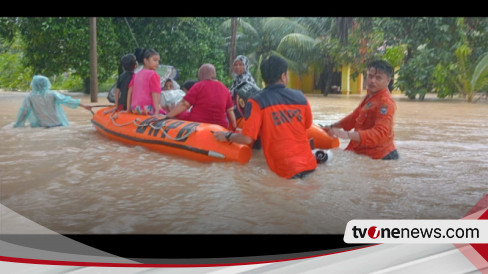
(210, 100)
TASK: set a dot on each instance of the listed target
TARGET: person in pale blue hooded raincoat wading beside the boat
(42, 107)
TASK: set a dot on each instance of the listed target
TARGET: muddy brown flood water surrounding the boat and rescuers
(74, 180)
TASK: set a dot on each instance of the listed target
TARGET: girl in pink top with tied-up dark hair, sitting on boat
(145, 88)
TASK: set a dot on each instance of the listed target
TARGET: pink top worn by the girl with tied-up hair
(144, 84)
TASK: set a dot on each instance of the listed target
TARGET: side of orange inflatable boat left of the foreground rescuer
(187, 139)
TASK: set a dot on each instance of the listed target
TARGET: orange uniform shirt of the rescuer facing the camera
(373, 119)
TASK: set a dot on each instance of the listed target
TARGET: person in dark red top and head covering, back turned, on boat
(210, 101)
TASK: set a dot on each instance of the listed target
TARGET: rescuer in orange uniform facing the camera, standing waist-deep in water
(372, 120)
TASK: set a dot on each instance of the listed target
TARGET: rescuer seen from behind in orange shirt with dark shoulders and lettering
(280, 116)
